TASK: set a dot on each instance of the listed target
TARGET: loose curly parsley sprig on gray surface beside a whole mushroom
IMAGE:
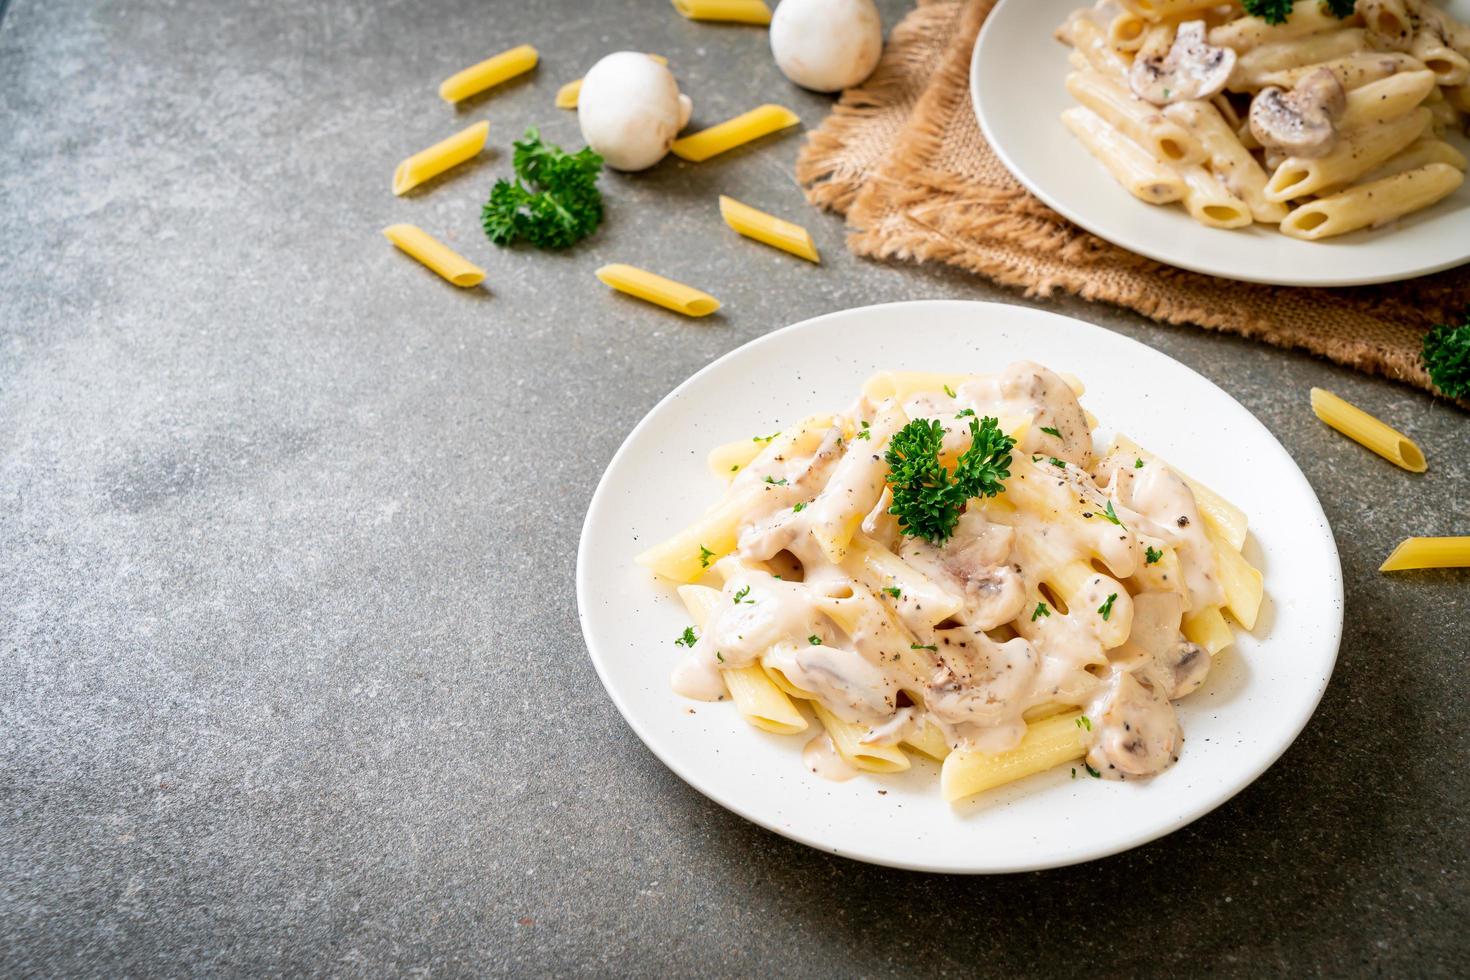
(553, 202)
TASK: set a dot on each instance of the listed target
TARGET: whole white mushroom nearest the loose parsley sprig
(631, 111)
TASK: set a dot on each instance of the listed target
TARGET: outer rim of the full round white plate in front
(740, 809)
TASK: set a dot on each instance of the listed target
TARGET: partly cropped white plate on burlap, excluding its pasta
(1018, 89)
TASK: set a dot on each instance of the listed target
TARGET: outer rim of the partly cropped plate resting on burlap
(1097, 228)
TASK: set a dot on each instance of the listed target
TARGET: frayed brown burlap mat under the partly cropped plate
(905, 161)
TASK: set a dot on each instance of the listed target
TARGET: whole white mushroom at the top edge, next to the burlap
(827, 45)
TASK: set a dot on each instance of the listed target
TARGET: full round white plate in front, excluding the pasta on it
(1258, 700)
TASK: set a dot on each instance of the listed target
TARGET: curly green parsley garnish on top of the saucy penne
(927, 497)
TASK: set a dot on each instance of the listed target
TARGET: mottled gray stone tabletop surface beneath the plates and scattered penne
(290, 669)
